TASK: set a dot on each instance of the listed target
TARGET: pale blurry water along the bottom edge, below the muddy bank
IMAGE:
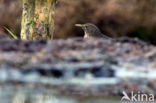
(24, 94)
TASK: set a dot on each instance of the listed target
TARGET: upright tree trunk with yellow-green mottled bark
(38, 19)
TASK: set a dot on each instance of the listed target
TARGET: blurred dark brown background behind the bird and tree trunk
(116, 18)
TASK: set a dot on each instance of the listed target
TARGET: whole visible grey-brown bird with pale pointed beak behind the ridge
(91, 30)
